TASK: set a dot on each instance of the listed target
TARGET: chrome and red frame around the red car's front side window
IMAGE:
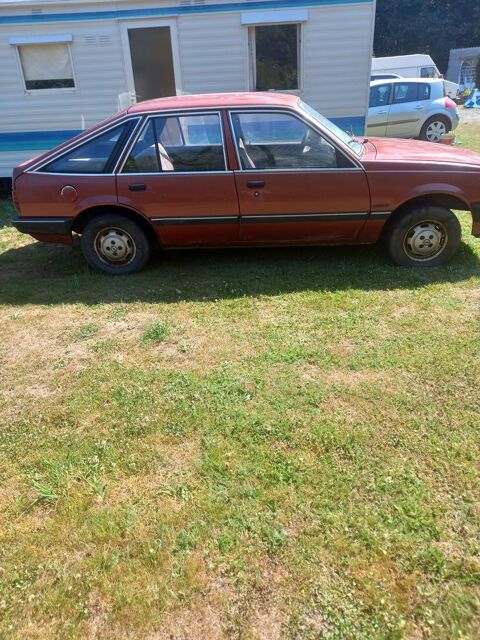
(357, 166)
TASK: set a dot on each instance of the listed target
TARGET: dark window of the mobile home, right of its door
(275, 51)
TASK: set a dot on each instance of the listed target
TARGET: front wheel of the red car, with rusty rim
(427, 236)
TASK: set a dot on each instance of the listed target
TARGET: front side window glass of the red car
(281, 141)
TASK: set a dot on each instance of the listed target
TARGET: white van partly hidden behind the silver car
(417, 65)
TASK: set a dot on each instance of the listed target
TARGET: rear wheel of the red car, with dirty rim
(115, 245)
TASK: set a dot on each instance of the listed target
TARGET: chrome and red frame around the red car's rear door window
(166, 114)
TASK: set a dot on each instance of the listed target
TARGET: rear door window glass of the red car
(178, 143)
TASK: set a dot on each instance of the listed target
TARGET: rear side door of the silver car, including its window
(406, 111)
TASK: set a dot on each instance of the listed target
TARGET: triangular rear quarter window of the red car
(93, 156)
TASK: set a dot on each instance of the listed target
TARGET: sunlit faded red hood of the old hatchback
(394, 150)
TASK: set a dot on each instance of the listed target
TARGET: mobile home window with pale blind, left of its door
(46, 66)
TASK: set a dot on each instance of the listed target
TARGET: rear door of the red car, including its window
(176, 175)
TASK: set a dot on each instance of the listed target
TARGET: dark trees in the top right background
(426, 26)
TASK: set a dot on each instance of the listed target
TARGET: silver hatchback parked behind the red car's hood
(411, 108)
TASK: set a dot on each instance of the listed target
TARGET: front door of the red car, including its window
(295, 185)
